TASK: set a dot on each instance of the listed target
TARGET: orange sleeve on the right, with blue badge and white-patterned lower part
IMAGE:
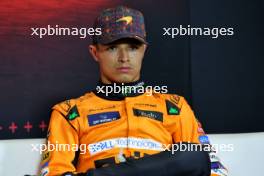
(189, 129)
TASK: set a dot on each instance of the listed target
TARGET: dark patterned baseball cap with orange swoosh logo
(120, 22)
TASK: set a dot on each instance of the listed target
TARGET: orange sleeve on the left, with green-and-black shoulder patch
(62, 142)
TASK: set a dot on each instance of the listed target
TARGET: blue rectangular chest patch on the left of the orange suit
(96, 119)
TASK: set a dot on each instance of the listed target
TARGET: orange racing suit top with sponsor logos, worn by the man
(94, 131)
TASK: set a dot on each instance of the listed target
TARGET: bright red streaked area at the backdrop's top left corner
(16, 16)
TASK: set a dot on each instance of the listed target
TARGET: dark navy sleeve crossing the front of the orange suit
(161, 164)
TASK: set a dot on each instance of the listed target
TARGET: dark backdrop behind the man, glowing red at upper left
(221, 78)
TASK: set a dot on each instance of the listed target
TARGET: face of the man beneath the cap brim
(119, 61)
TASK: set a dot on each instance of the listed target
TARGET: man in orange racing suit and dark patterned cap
(125, 129)
